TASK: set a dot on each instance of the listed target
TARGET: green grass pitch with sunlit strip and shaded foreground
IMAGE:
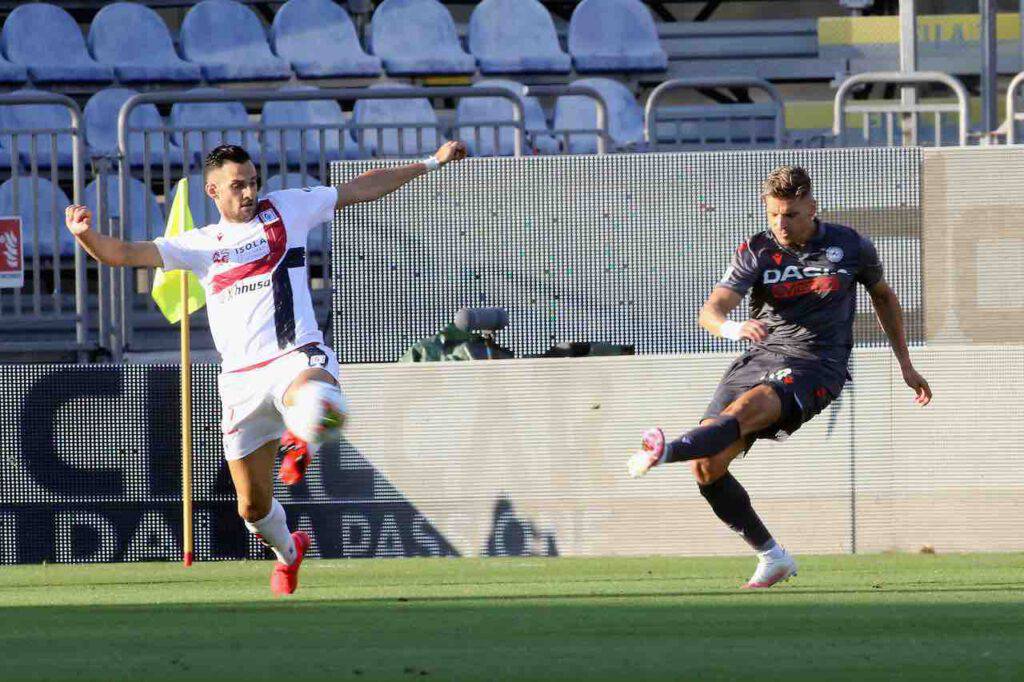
(845, 618)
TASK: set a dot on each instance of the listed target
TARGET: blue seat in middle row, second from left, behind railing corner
(102, 129)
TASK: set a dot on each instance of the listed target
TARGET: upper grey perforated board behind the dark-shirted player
(622, 249)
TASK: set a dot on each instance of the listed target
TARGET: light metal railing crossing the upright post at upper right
(889, 109)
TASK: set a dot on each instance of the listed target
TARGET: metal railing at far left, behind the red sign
(39, 165)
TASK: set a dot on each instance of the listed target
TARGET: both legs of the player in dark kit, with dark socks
(755, 410)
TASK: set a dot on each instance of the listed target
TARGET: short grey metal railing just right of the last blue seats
(752, 113)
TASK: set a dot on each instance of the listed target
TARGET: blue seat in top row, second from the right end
(516, 37)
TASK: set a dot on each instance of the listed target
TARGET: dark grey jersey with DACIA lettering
(806, 300)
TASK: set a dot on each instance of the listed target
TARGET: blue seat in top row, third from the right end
(418, 37)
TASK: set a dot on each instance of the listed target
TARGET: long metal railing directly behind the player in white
(298, 149)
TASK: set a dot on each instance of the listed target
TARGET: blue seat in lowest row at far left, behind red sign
(47, 217)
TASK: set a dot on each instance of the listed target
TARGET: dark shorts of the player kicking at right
(805, 388)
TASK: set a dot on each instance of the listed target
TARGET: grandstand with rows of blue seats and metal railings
(139, 92)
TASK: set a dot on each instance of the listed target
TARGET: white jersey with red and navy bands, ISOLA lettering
(254, 274)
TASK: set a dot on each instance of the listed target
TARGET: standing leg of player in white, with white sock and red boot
(253, 479)
